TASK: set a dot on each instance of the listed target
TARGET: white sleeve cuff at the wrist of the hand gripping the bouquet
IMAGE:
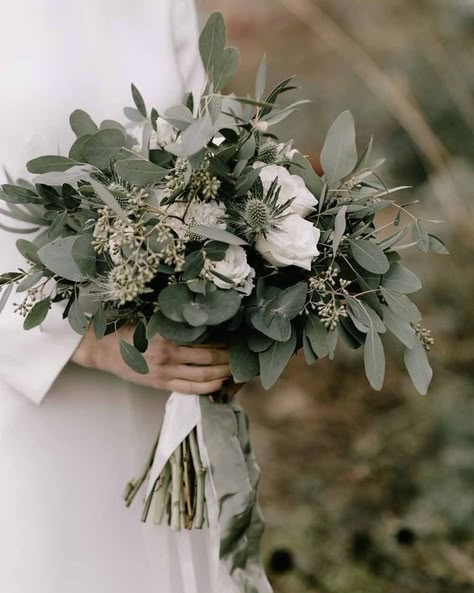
(31, 360)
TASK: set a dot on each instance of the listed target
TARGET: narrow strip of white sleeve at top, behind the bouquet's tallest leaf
(185, 30)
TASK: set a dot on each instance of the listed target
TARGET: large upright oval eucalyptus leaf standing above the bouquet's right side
(339, 153)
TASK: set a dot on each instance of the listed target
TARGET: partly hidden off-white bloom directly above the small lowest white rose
(204, 213)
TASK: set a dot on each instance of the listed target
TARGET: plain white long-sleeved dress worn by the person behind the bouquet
(70, 438)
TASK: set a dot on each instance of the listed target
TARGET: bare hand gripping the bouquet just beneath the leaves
(198, 370)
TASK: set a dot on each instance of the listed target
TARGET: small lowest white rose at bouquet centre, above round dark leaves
(234, 267)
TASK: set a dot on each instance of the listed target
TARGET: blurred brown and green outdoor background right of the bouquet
(367, 492)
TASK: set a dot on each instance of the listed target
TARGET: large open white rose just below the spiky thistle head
(294, 243)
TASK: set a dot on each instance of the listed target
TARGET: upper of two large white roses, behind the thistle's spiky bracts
(291, 186)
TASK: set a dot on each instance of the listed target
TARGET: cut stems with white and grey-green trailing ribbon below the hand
(202, 472)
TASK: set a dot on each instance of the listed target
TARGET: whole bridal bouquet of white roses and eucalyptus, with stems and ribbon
(210, 229)
